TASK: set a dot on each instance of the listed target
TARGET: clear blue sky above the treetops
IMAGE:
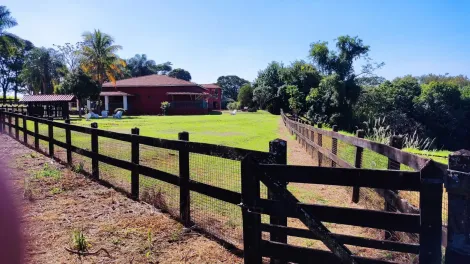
(224, 37)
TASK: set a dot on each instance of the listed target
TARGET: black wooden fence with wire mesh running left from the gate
(202, 201)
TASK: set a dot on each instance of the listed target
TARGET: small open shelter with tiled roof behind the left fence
(48, 105)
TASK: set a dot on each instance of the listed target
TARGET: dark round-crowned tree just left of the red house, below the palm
(81, 85)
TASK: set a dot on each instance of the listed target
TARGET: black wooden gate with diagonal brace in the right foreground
(282, 204)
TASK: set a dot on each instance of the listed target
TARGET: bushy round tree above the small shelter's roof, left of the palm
(42, 70)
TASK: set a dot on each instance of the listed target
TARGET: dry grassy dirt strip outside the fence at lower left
(54, 202)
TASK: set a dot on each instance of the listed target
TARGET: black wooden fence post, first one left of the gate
(185, 197)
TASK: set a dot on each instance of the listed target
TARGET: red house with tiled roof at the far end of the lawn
(144, 95)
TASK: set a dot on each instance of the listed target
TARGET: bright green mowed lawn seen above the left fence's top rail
(243, 130)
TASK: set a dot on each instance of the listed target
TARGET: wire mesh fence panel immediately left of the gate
(219, 218)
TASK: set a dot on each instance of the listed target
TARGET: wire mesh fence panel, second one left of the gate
(161, 194)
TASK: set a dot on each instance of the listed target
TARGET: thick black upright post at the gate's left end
(251, 221)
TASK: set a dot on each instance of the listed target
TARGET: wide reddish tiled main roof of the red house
(150, 81)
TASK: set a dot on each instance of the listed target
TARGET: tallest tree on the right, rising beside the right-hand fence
(341, 89)
